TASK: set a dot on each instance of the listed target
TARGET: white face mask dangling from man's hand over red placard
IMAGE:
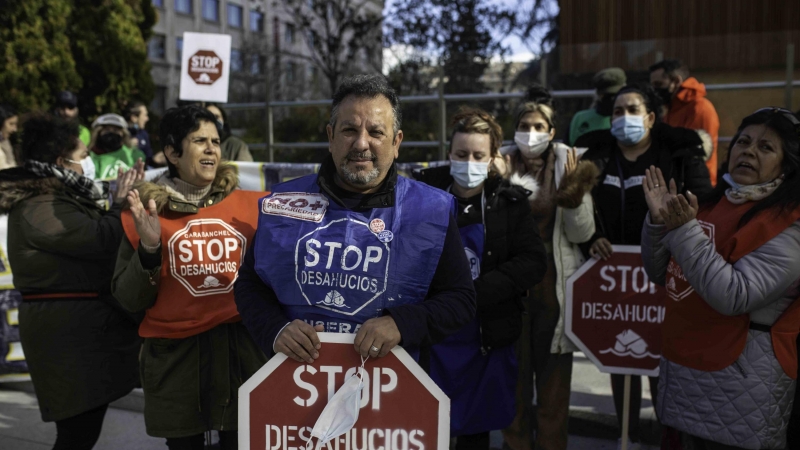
(341, 412)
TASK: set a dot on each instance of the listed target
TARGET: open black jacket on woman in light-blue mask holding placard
(680, 157)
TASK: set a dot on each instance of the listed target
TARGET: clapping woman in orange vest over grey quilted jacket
(730, 262)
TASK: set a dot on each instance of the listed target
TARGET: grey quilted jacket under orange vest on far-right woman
(748, 403)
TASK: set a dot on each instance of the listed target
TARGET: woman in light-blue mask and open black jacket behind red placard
(636, 141)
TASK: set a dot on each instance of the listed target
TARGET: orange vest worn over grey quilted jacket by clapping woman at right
(697, 336)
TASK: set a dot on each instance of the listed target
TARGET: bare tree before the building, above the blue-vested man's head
(340, 36)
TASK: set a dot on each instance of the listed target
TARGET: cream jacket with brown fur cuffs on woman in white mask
(574, 224)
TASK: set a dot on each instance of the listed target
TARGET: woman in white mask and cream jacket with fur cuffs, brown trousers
(562, 206)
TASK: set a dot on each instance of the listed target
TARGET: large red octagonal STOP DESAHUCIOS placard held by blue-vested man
(401, 407)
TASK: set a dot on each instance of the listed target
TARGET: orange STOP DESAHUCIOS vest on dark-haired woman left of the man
(200, 260)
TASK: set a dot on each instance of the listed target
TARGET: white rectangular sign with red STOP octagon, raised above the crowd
(205, 67)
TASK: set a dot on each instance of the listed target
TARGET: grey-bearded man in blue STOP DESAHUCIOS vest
(356, 248)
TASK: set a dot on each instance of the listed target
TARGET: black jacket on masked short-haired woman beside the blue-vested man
(514, 258)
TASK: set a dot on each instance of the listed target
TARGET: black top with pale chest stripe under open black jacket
(623, 212)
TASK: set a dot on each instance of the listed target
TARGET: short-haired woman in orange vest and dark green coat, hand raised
(187, 233)
